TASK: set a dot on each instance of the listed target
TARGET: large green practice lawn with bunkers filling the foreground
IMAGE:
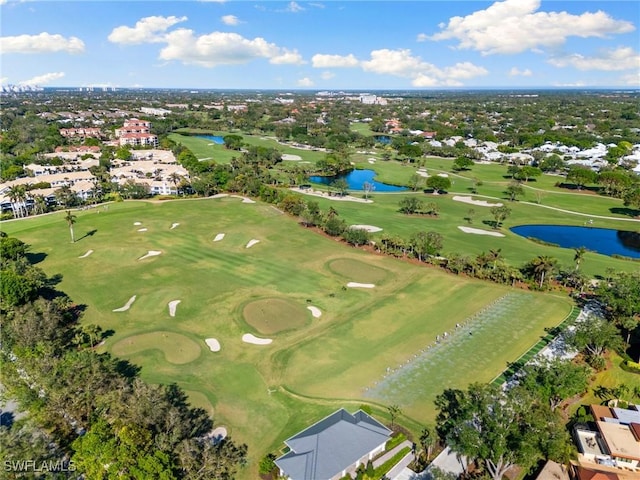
(263, 394)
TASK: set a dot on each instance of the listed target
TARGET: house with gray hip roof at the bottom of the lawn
(335, 445)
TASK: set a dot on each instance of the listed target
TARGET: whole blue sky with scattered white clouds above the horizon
(321, 45)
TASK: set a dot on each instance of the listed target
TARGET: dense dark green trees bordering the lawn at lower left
(90, 411)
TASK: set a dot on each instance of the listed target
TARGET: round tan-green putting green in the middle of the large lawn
(274, 315)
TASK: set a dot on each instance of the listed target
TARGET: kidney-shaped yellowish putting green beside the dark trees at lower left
(177, 349)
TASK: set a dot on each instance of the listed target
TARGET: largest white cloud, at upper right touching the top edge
(514, 26)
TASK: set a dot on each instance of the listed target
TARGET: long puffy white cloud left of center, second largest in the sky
(222, 48)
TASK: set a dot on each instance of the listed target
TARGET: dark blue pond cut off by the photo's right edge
(601, 240)
